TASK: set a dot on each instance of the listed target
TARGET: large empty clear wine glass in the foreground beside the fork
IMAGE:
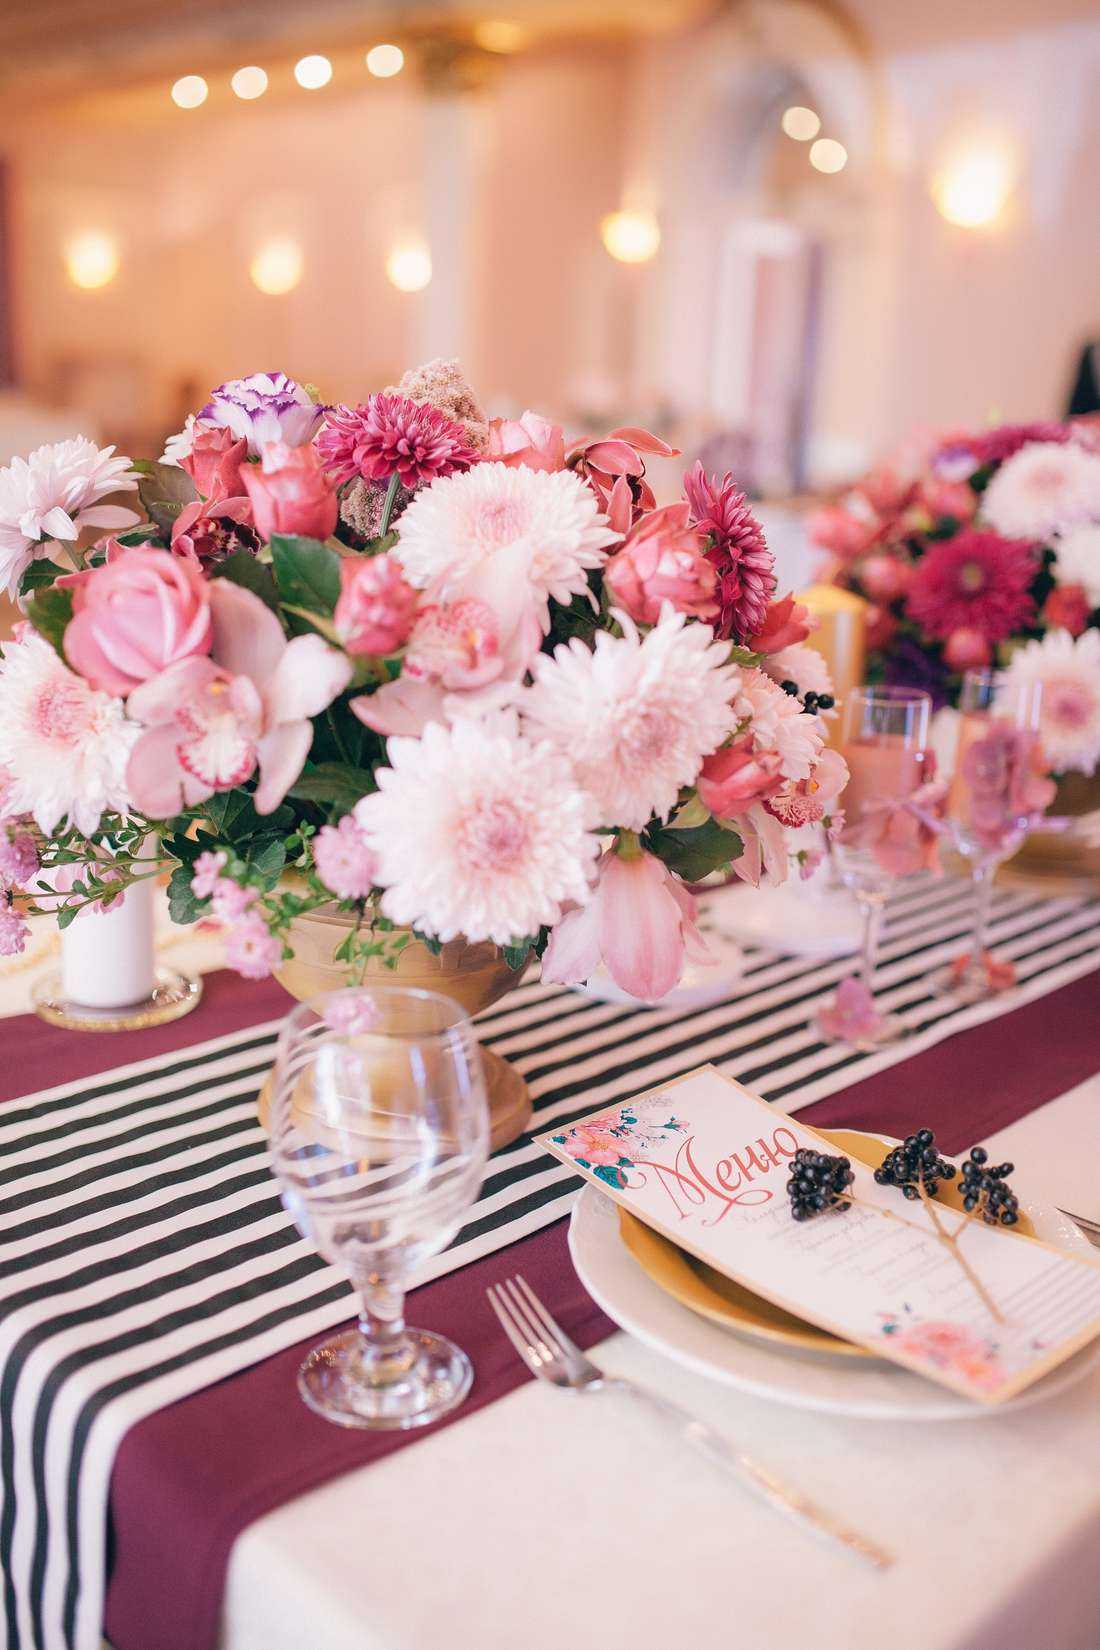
(380, 1136)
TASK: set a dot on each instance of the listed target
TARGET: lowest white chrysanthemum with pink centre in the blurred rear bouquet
(1069, 714)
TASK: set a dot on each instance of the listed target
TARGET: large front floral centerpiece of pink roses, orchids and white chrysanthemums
(449, 676)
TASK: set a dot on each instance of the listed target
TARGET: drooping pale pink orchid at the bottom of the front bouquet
(639, 923)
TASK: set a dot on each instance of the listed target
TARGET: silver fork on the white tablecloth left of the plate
(552, 1355)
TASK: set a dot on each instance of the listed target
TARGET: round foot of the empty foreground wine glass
(435, 1382)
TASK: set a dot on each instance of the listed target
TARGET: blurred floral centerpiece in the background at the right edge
(984, 550)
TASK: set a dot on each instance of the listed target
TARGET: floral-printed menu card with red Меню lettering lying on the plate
(707, 1164)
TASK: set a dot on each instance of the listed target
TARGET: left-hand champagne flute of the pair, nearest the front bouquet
(886, 748)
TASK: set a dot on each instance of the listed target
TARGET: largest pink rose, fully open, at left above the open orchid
(136, 616)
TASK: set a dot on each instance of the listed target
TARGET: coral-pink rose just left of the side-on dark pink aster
(662, 562)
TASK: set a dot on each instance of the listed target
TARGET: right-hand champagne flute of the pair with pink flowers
(995, 798)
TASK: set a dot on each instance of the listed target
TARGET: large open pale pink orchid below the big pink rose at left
(214, 722)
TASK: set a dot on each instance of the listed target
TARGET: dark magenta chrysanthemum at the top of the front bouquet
(390, 435)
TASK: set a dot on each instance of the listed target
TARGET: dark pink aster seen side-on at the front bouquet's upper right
(745, 565)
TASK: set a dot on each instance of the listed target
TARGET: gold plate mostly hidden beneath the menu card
(735, 1308)
